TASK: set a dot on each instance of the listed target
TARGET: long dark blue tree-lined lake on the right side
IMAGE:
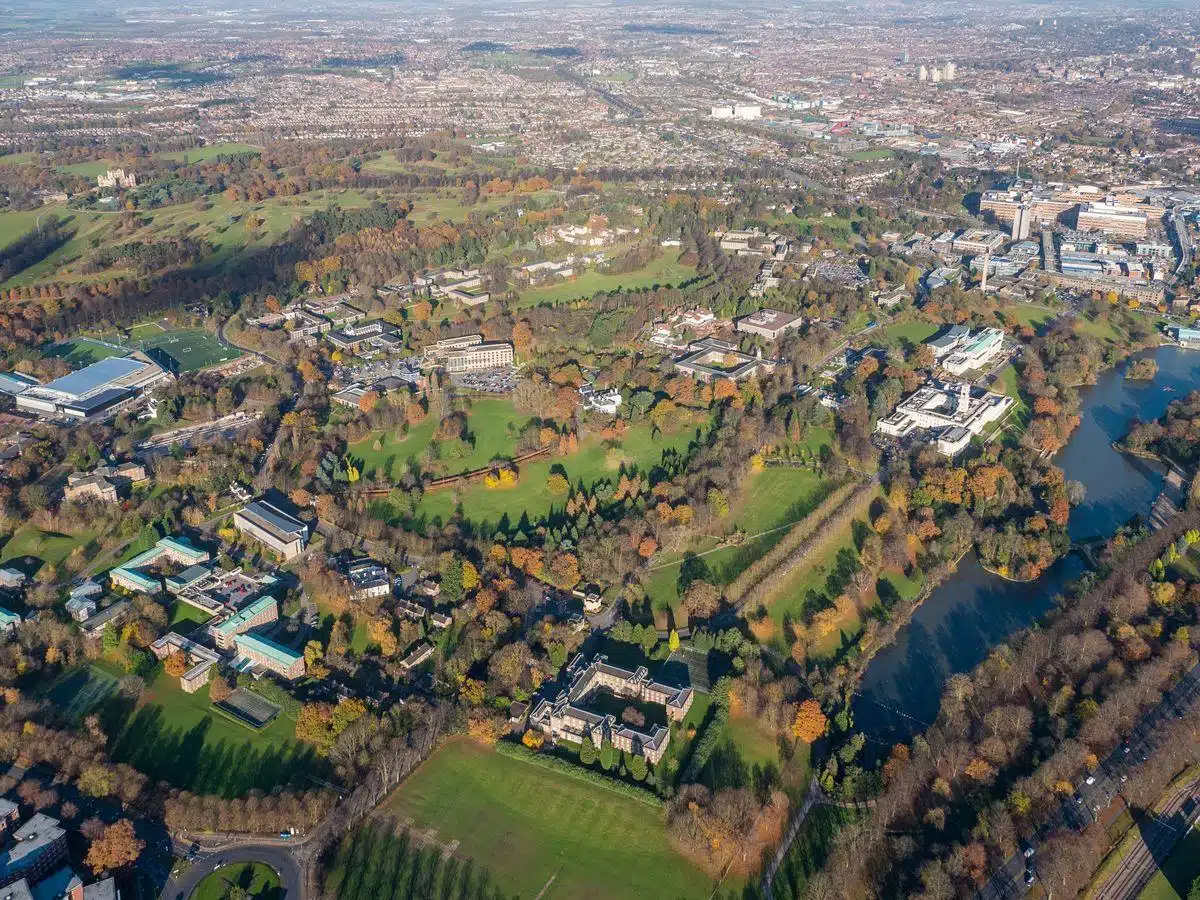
(975, 611)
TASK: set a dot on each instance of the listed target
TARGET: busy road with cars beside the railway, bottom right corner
(1100, 790)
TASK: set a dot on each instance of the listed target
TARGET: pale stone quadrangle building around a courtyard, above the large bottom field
(575, 715)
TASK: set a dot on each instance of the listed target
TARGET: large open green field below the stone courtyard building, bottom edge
(527, 825)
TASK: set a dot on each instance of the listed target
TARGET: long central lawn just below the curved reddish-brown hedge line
(531, 497)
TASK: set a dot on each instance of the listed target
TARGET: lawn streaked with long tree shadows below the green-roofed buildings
(184, 740)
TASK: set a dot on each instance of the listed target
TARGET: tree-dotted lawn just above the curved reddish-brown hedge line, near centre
(493, 422)
